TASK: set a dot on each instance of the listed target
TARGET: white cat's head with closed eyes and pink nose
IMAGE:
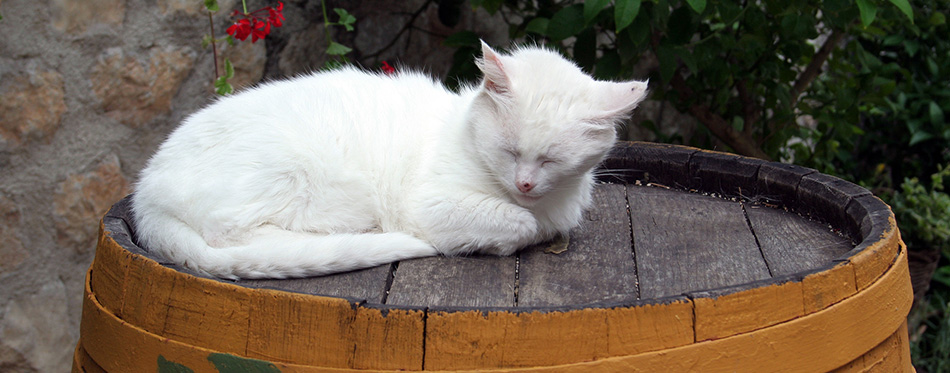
(539, 123)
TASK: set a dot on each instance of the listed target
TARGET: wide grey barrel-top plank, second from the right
(687, 242)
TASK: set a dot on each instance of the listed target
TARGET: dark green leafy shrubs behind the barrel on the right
(857, 89)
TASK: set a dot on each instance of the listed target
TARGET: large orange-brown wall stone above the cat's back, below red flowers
(134, 91)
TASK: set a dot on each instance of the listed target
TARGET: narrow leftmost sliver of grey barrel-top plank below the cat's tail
(368, 284)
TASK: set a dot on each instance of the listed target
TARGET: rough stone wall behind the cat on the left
(88, 89)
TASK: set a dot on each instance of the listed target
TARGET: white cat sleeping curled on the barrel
(347, 169)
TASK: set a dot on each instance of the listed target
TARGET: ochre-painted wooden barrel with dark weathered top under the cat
(690, 261)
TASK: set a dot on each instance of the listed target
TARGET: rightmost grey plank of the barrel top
(793, 244)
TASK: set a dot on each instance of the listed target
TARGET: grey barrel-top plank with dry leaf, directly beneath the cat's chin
(598, 265)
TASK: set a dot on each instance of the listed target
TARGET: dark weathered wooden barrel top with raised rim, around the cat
(667, 223)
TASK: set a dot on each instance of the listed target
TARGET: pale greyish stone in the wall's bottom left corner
(32, 332)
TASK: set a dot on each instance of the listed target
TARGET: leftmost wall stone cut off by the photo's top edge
(76, 17)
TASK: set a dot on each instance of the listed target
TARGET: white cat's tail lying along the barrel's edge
(272, 252)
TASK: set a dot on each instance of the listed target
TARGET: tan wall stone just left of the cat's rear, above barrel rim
(82, 199)
